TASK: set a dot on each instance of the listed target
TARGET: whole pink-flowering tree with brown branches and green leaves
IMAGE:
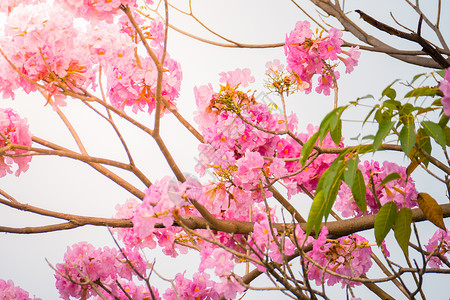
(246, 222)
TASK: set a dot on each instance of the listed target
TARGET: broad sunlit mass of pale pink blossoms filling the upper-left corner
(44, 45)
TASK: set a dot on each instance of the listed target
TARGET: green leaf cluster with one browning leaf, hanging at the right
(410, 121)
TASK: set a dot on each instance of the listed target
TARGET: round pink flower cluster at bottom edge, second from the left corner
(86, 267)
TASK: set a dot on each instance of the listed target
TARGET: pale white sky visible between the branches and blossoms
(68, 186)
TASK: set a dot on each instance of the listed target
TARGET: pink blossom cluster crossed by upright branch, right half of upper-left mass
(132, 77)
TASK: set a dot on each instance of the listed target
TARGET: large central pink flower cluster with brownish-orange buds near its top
(238, 150)
